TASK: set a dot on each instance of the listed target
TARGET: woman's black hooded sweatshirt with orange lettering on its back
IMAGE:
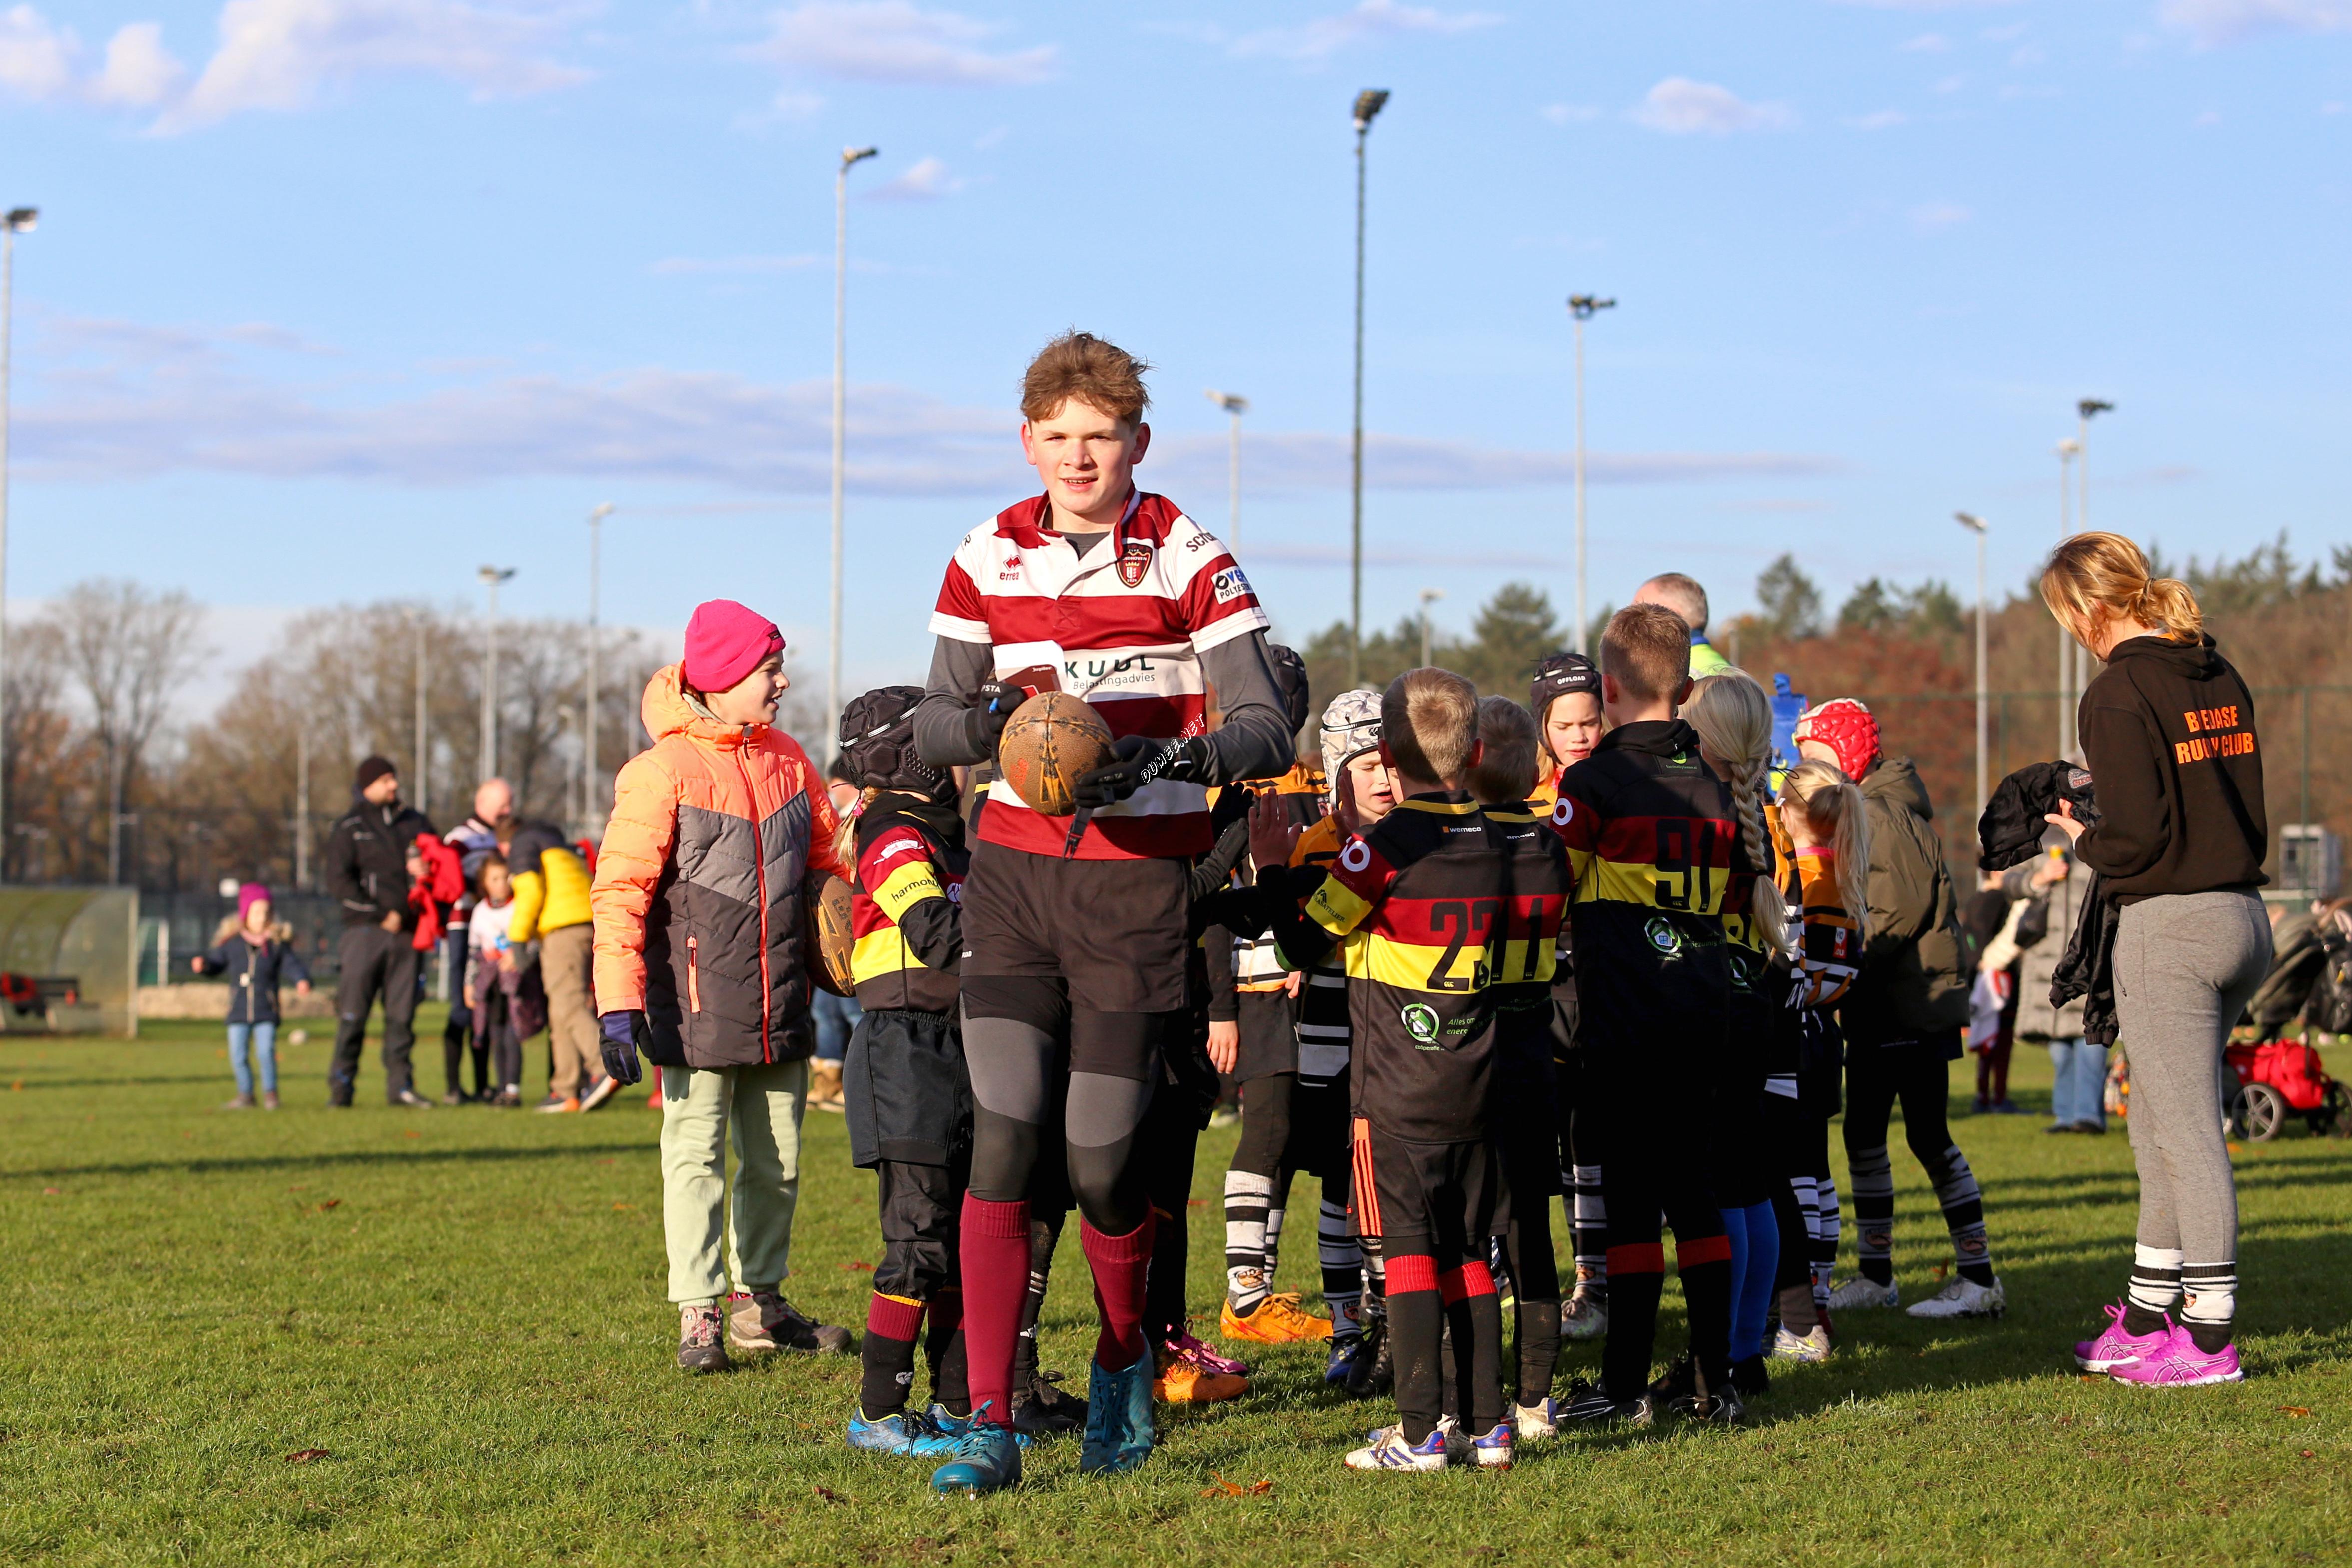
(2167, 730)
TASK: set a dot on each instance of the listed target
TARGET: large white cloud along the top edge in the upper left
(286, 53)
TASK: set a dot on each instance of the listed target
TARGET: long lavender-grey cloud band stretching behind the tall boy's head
(126, 401)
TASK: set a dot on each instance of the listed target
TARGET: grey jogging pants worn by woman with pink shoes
(2184, 970)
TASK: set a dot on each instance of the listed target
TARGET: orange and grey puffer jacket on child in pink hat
(702, 887)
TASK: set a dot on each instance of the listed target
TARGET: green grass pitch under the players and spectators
(465, 1308)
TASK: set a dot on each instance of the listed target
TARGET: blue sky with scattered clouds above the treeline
(338, 300)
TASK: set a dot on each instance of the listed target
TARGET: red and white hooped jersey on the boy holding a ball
(1125, 624)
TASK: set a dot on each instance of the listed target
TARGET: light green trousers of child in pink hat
(742, 1233)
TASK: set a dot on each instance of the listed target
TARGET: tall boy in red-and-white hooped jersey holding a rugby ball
(1076, 927)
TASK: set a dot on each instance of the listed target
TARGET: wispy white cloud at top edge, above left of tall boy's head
(900, 43)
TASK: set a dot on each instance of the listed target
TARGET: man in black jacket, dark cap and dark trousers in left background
(368, 871)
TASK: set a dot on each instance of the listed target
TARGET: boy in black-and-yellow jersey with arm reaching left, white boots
(1415, 906)
